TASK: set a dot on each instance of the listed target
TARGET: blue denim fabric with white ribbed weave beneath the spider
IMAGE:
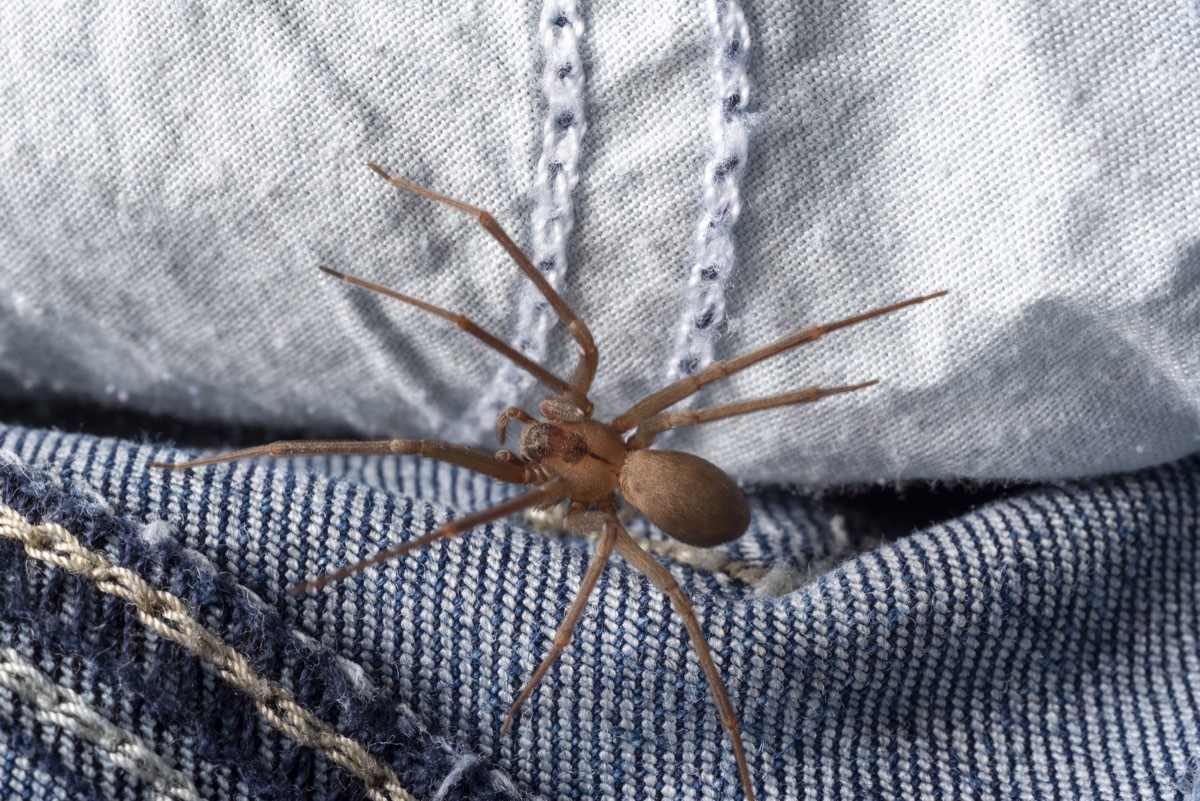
(1040, 647)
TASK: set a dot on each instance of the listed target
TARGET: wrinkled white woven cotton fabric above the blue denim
(172, 174)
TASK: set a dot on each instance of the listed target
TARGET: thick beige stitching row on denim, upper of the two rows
(167, 616)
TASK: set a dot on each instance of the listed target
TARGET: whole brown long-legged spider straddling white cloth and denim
(586, 462)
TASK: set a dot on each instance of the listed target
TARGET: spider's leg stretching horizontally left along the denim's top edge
(431, 449)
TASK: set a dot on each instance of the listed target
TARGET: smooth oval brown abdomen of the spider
(689, 498)
